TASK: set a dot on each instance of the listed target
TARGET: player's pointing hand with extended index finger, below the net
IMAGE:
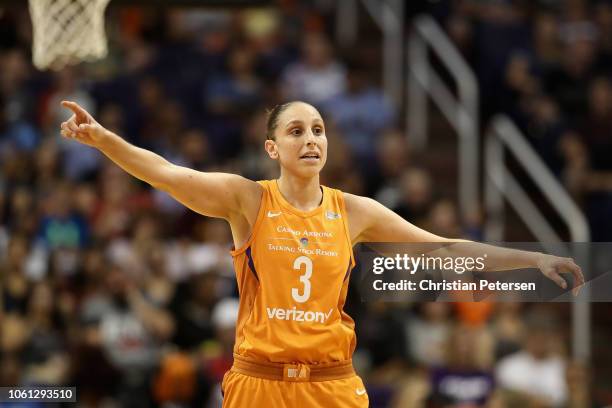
(82, 127)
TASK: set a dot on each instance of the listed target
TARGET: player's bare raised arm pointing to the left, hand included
(214, 194)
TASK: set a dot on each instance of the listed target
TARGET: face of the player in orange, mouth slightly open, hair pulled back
(301, 144)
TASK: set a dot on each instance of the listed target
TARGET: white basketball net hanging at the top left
(67, 32)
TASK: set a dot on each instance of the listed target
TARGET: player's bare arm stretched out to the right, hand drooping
(373, 222)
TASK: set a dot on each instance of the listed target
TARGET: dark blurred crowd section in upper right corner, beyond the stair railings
(548, 65)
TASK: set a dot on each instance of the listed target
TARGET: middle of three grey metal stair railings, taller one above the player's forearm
(460, 111)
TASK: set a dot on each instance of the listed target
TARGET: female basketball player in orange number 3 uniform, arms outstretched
(293, 243)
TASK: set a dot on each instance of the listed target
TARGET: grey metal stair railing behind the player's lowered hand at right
(503, 135)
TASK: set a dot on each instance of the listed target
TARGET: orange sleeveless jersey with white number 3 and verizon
(293, 279)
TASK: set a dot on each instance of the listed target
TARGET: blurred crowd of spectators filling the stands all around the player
(115, 288)
